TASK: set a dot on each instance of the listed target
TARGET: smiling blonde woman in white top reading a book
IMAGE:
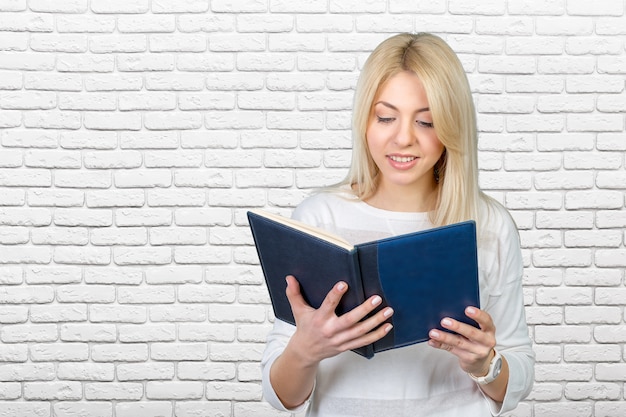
(414, 167)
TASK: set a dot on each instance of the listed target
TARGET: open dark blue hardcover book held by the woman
(424, 276)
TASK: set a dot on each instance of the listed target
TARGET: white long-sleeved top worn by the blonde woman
(416, 380)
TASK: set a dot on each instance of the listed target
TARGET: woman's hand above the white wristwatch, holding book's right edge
(473, 347)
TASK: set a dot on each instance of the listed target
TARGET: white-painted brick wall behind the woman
(134, 134)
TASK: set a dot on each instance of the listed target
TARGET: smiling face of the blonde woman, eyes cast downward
(400, 135)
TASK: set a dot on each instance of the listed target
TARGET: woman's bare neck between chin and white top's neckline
(404, 199)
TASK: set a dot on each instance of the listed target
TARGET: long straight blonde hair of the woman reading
(454, 118)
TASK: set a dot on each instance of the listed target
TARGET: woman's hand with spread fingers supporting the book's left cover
(321, 334)
